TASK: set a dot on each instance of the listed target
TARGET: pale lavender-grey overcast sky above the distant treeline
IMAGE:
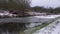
(46, 3)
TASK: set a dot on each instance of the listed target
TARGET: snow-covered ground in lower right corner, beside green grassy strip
(53, 28)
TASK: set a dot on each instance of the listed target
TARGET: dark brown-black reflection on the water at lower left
(11, 28)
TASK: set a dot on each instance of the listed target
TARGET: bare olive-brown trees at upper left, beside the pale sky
(16, 4)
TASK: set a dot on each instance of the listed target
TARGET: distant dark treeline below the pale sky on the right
(46, 10)
